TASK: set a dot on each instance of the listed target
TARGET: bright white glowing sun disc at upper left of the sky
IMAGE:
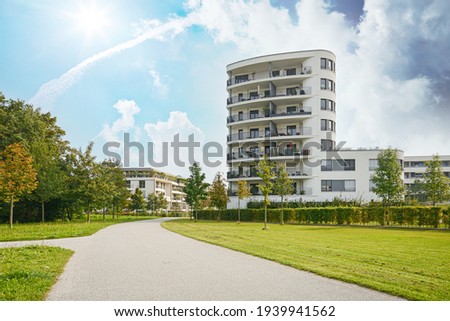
(91, 20)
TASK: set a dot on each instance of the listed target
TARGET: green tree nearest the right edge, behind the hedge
(436, 183)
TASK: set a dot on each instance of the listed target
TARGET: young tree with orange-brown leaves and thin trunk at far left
(17, 175)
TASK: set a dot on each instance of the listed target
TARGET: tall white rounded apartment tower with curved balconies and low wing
(284, 106)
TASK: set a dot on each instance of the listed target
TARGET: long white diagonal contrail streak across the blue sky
(49, 91)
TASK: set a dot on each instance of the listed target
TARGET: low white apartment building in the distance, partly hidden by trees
(151, 181)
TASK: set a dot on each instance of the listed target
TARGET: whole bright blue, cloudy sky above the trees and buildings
(154, 69)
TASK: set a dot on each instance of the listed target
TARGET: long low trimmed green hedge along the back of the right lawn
(408, 216)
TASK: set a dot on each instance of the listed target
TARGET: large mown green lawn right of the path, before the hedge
(412, 264)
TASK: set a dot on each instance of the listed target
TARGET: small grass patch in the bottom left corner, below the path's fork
(28, 273)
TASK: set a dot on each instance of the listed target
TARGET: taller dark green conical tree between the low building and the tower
(195, 188)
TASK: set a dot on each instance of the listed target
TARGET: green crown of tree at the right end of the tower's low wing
(387, 179)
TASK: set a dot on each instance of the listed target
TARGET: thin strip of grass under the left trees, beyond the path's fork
(56, 230)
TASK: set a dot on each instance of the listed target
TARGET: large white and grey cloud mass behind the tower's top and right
(381, 99)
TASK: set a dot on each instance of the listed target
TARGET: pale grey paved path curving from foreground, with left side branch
(143, 261)
